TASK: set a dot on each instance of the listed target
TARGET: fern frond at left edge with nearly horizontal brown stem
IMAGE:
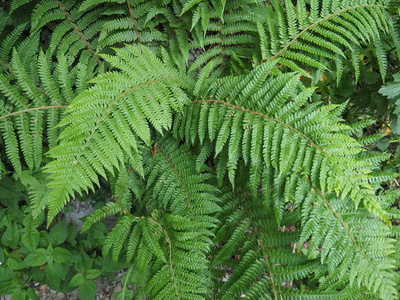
(33, 110)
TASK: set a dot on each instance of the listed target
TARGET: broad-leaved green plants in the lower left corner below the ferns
(55, 257)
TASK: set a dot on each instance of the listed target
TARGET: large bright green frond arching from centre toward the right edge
(265, 108)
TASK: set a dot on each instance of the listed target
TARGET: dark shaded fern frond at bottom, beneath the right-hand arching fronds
(261, 267)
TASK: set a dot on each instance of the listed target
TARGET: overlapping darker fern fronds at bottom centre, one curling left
(169, 241)
